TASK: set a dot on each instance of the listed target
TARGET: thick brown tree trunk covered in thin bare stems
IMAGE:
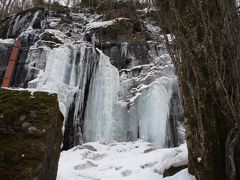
(207, 62)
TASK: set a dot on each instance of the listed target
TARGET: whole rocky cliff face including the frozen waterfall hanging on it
(66, 52)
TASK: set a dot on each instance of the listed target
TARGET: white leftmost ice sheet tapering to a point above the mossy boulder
(52, 79)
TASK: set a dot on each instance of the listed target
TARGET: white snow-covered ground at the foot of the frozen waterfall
(121, 161)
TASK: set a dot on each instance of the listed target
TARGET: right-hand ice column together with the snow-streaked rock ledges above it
(148, 90)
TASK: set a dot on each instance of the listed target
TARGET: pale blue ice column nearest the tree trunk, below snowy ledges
(151, 110)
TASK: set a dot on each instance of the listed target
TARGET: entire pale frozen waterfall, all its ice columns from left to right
(106, 106)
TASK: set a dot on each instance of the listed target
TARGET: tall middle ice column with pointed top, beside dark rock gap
(100, 120)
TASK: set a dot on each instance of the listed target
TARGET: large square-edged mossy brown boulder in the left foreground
(31, 136)
